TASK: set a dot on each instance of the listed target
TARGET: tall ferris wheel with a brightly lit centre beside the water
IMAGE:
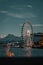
(27, 32)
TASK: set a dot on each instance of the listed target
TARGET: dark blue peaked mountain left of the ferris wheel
(10, 38)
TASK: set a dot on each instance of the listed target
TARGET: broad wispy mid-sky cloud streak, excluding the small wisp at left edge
(23, 16)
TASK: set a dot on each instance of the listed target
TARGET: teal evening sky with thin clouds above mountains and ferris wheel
(13, 13)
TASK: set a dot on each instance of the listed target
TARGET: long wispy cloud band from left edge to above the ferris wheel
(19, 15)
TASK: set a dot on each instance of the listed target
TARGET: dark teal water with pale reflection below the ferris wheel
(22, 52)
